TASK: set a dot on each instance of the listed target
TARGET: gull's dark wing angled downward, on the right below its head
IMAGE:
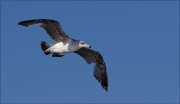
(100, 72)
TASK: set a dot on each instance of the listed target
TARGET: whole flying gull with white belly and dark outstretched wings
(65, 44)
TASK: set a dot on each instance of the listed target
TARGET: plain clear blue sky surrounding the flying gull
(139, 41)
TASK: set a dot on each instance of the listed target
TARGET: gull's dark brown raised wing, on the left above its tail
(52, 27)
